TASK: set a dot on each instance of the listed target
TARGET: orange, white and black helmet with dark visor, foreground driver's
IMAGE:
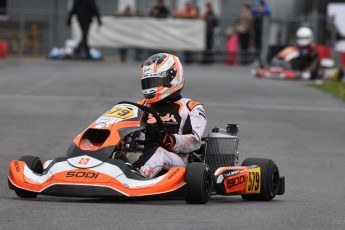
(161, 76)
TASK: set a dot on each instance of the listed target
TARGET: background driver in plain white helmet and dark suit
(307, 60)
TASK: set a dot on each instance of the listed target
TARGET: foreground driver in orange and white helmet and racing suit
(184, 120)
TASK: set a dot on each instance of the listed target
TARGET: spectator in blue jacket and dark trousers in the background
(259, 12)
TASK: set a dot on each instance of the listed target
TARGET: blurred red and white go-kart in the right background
(284, 66)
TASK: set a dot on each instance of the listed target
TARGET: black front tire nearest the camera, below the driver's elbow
(198, 183)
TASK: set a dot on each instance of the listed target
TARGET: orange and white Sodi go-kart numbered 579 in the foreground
(94, 165)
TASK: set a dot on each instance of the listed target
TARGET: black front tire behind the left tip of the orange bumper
(35, 164)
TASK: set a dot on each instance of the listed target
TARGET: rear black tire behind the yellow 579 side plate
(269, 179)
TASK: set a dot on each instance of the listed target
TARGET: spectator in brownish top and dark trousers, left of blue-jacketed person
(243, 28)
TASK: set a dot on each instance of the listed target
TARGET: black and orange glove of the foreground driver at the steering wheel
(162, 137)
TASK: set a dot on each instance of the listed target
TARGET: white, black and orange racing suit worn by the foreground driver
(183, 118)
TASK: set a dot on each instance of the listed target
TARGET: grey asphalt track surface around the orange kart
(44, 104)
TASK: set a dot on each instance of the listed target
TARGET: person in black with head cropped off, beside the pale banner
(85, 10)
